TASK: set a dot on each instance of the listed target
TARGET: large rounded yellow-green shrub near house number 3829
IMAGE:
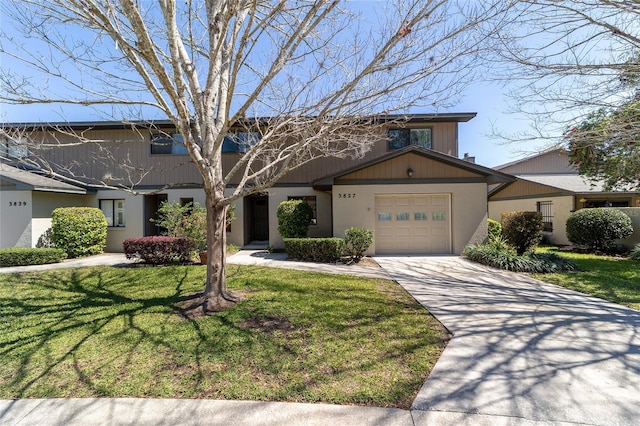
(80, 231)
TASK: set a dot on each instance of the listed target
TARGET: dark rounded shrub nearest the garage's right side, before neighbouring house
(522, 230)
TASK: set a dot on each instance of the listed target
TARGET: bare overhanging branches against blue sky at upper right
(565, 60)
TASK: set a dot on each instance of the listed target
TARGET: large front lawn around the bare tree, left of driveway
(115, 332)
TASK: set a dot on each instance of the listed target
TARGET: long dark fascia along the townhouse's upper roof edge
(103, 125)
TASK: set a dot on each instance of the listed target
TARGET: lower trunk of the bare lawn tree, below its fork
(216, 296)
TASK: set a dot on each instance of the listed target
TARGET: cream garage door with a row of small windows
(413, 223)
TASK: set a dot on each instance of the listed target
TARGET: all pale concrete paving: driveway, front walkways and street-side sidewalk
(523, 352)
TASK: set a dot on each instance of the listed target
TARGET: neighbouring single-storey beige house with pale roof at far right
(547, 183)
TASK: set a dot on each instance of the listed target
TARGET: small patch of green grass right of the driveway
(610, 278)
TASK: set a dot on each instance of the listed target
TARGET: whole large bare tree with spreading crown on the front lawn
(319, 71)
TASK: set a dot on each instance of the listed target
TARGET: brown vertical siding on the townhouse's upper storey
(124, 157)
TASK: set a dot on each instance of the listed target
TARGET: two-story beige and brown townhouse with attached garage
(410, 188)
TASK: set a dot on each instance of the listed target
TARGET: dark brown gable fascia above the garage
(493, 176)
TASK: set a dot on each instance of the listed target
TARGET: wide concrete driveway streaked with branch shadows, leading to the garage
(521, 349)
